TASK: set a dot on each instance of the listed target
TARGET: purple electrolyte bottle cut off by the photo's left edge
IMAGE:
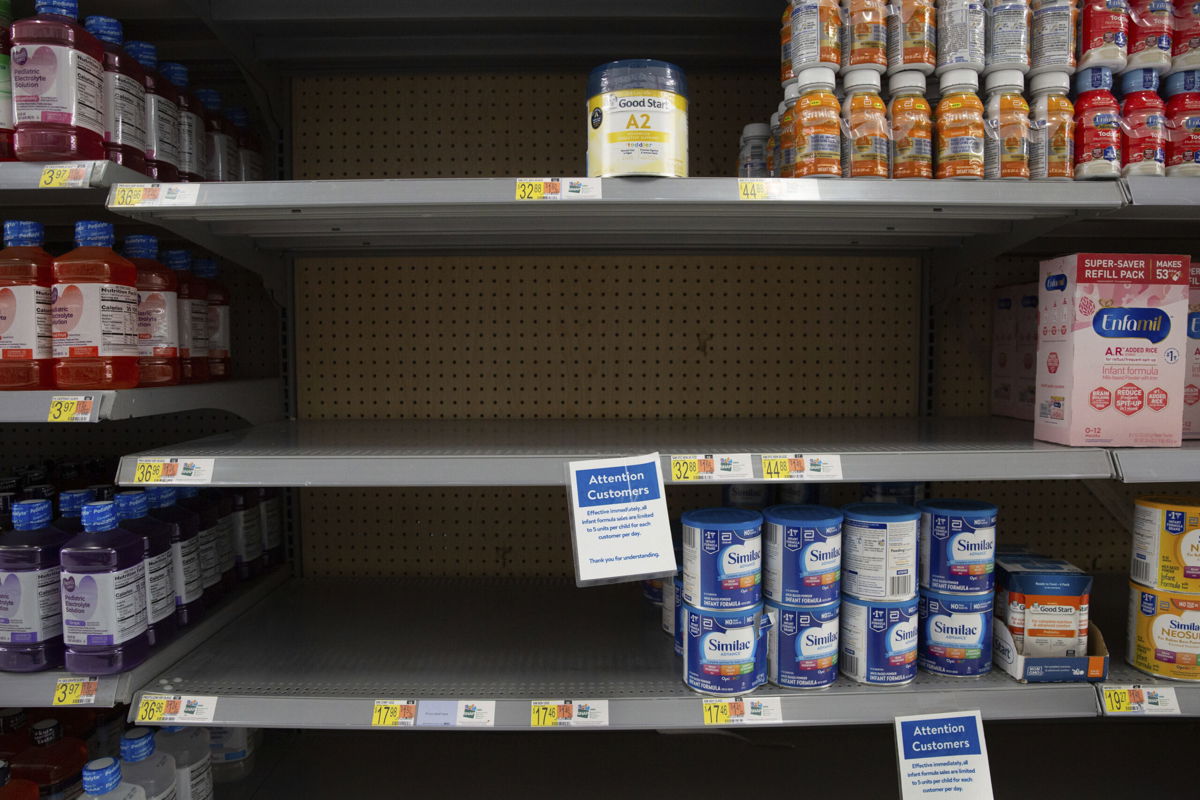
(32, 631)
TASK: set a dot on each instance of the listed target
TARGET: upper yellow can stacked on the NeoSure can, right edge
(1167, 544)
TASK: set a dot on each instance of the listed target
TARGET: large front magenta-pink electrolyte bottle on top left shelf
(58, 82)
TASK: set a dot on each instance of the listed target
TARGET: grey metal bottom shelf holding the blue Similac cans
(320, 652)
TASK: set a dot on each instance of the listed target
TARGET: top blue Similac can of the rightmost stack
(958, 546)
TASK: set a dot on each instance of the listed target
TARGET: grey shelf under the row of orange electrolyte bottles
(255, 401)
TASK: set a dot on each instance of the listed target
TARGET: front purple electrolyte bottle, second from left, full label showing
(104, 596)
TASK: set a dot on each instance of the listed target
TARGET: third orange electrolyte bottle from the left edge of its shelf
(158, 314)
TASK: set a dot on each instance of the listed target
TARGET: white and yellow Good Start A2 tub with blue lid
(638, 119)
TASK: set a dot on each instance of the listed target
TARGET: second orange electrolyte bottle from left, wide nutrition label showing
(95, 314)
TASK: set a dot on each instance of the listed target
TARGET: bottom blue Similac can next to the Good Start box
(956, 634)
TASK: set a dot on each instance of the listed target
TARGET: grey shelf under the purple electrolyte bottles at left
(38, 689)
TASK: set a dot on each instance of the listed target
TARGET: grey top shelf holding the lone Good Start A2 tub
(635, 215)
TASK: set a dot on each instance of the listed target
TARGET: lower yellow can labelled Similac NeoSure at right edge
(1165, 633)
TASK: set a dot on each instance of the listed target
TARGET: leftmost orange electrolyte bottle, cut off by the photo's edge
(26, 279)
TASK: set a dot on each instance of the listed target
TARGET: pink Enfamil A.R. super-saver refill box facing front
(1112, 339)
